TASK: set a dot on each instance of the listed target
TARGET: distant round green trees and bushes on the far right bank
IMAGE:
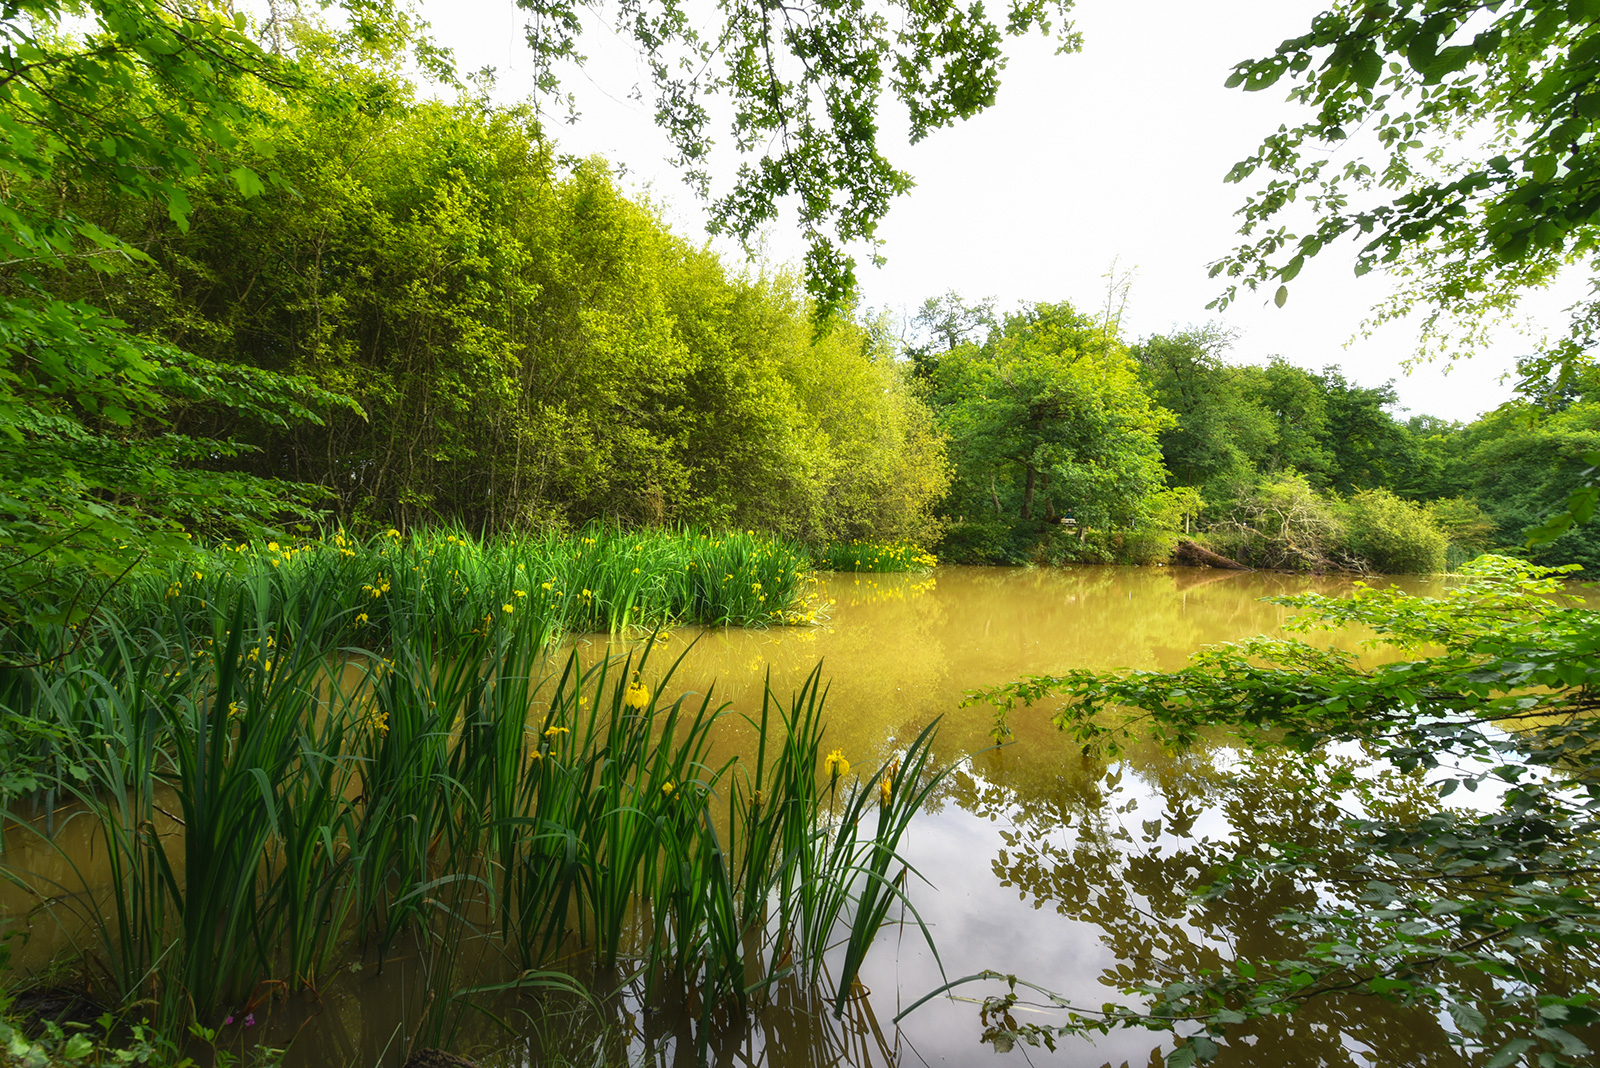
(1073, 445)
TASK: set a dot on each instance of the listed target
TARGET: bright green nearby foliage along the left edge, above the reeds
(98, 468)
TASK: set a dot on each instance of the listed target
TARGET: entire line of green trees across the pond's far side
(425, 314)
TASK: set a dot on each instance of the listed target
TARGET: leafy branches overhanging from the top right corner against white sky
(1476, 172)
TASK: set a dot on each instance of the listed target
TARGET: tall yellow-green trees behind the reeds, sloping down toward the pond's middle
(527, 346)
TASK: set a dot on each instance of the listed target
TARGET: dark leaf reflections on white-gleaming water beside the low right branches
(1127, 847)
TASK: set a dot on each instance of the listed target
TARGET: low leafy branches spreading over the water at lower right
(1482, 911)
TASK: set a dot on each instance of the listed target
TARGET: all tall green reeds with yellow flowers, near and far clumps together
(268, 791)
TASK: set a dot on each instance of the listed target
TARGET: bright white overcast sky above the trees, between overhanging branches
(1114, 154)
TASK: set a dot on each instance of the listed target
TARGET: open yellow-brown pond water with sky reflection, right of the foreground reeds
(1066, 871)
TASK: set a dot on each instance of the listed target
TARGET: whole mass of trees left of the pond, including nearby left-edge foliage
(242, 284)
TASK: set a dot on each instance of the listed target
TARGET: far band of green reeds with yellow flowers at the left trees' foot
(340, 592)
